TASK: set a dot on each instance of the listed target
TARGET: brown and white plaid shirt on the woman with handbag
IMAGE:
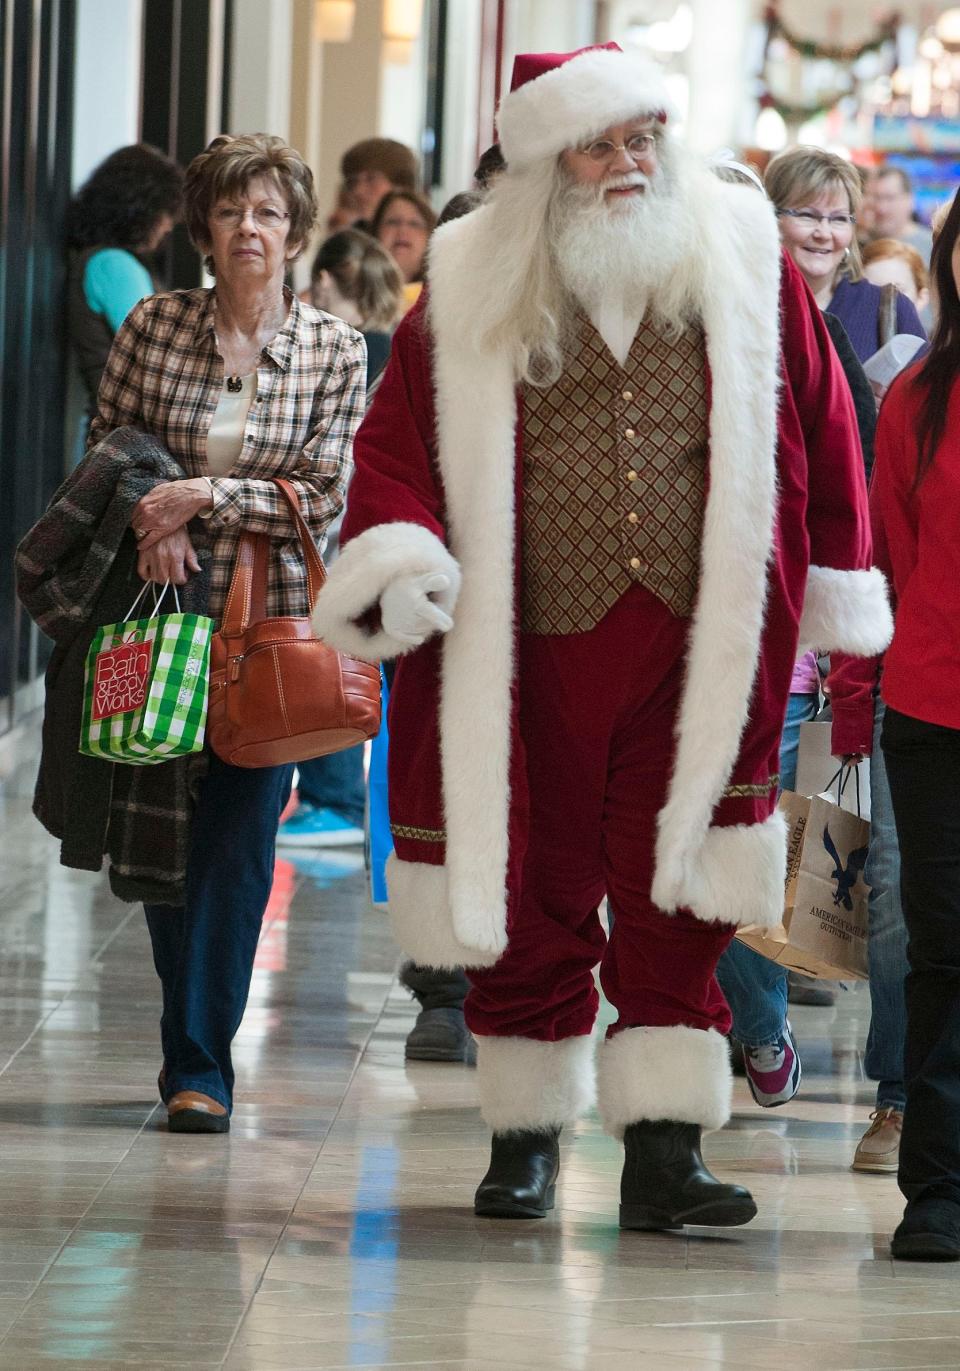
(165, 376)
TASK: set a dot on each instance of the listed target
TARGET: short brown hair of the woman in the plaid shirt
(227, 168)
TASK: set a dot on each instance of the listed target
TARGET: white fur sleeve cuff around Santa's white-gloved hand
(363, 572)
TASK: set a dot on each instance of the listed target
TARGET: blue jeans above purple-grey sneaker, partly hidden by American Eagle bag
(755, 986)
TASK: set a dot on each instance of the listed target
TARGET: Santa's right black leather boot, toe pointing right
(666, 1184)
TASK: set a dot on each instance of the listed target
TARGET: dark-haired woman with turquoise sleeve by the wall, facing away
(119, 219)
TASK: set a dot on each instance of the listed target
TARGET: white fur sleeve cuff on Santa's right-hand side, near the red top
(845, 612)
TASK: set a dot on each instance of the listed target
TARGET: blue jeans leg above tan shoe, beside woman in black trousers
(887, 944)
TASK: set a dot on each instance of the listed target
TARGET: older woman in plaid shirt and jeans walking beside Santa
(242, 383)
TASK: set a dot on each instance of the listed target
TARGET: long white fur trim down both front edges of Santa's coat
(477, 433)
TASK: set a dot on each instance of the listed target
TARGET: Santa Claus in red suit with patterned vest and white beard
(610, 486)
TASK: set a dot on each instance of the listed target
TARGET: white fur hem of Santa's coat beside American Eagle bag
(736, 877)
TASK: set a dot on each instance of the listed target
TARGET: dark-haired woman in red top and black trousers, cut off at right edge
(917, 513)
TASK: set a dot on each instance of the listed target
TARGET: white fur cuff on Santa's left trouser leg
(526, 1084)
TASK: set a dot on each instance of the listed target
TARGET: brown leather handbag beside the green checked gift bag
(278, 693)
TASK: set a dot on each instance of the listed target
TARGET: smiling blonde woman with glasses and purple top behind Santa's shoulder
(818, 197)
